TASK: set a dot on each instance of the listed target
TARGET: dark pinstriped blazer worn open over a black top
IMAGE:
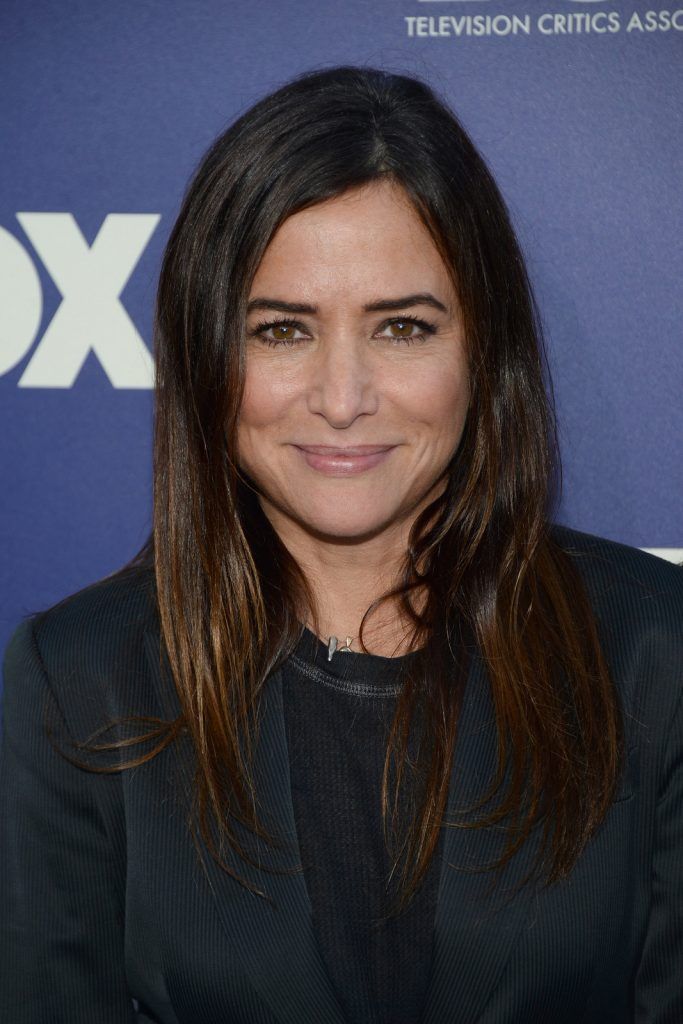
(108, 918)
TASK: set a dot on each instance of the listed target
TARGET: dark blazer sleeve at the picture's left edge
(62, 937)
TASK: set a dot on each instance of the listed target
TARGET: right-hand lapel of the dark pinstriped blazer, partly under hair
(477, 923)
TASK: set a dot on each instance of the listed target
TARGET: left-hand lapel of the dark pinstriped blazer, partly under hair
(276, 943)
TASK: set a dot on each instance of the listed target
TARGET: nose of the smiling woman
(343, 385)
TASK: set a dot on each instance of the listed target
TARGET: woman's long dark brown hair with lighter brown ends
(230, 594)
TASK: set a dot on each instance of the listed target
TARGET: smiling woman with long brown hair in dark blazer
(359, 736)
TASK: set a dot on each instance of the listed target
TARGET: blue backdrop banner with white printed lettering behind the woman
(107, 109)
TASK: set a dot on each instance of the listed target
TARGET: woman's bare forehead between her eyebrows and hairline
(369, 241)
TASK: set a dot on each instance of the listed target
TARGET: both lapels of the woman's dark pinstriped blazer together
(475, 928)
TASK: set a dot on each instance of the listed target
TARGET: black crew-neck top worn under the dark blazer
(337, 717)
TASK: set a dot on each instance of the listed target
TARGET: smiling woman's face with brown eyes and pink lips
(355, 345)
